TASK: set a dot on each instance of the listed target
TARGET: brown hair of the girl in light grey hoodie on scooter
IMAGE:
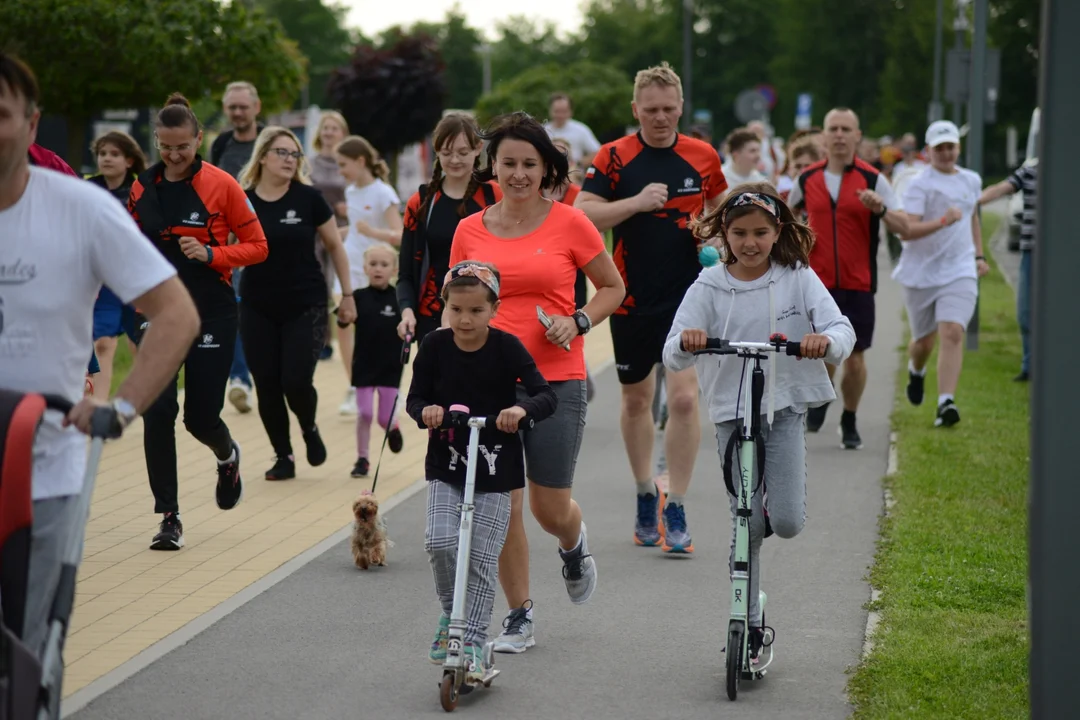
(796, 239)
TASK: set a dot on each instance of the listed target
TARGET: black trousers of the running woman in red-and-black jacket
(206, 376)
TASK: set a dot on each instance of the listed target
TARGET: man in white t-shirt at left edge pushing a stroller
(61, 240)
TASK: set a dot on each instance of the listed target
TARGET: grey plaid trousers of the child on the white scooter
(491, 520)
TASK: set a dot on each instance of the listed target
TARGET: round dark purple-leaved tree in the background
(394, 97)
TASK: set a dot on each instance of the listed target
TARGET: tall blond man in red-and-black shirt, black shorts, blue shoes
(646, 187)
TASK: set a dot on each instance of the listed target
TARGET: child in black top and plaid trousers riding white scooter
(480, 368)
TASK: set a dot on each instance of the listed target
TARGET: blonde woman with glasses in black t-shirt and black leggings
(283, 301)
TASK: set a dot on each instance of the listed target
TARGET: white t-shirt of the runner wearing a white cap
(948, 254)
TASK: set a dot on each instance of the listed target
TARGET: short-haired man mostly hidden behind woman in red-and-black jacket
(231, 152)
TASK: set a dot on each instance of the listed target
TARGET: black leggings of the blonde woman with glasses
(282, 354)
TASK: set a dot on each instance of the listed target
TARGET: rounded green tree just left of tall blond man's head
(601, 94)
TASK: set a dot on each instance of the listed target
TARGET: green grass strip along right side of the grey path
(952, 562)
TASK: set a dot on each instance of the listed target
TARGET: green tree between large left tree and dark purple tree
(320, 34)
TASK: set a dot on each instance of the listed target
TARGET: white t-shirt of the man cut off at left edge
(60, 243)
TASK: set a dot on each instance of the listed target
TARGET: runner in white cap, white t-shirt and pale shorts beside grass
(940, 267)
